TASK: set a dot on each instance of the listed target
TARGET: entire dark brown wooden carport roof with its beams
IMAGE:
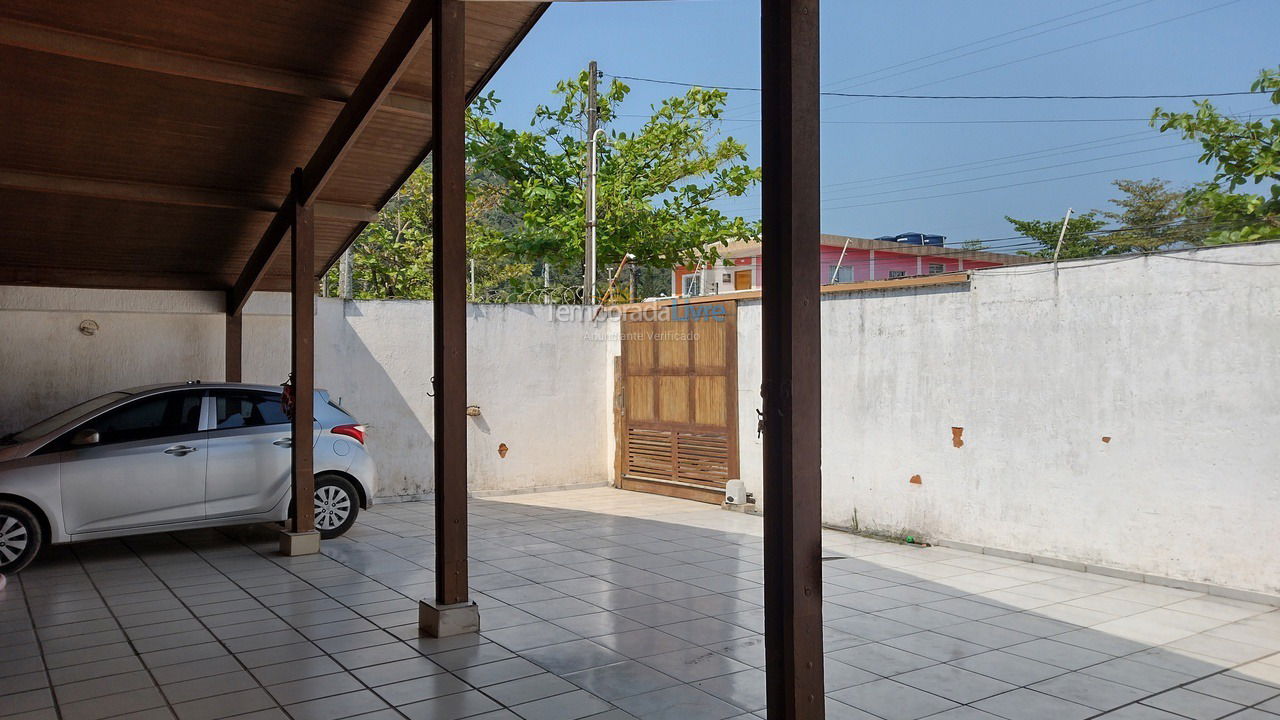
(150, 145)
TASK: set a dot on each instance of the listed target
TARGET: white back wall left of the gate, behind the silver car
(537, 377)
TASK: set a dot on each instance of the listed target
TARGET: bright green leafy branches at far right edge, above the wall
(1245, 153)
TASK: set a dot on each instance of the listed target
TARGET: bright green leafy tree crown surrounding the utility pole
(656, 188)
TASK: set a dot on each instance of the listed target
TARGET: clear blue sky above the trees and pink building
(943, 172)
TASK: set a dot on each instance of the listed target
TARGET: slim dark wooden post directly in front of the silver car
(303, 297)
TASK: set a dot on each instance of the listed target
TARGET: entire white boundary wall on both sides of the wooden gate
(1173, 359)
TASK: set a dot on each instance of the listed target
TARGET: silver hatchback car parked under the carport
(170, 458)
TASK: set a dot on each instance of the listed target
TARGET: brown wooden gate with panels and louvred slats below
(679, 402)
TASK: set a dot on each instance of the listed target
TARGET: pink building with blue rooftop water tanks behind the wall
(844, 261)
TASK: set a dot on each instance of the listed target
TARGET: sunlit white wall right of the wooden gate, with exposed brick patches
(1173, 359)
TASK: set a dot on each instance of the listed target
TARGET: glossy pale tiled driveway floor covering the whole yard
(611, 605)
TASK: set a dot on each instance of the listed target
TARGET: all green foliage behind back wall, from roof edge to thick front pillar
(525, 203)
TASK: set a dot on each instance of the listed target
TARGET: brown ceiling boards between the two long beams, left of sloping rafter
(131, 126)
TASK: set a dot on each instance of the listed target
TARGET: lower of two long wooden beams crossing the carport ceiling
(167, 195)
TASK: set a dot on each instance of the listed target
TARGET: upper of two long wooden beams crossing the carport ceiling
(54, 42)
